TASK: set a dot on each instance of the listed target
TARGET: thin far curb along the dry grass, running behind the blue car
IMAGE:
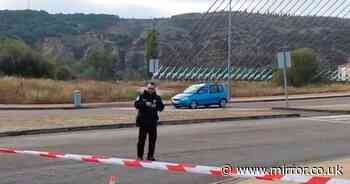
(108, 105)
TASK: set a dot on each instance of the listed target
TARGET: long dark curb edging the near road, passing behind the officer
(130, 125)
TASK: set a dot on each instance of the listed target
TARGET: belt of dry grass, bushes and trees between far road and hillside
(35, 79)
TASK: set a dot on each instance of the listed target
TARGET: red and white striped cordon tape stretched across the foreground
(174, 167)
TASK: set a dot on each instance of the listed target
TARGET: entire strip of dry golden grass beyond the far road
(46, 91)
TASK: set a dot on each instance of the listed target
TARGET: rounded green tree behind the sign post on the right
(304, 67)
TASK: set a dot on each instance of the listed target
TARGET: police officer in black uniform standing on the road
(148, 105)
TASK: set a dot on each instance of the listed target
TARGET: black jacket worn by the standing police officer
(148, 116)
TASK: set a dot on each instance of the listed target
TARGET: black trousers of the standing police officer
(152, 137)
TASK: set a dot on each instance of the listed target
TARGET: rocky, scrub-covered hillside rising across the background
(256, 38)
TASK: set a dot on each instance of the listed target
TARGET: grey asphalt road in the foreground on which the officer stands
(244, 142)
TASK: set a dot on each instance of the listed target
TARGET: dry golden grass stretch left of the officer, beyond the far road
(46, 91)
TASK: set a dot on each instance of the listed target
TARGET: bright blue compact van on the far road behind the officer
(204, 94)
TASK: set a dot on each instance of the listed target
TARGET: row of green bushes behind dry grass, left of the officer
(21, 60)
